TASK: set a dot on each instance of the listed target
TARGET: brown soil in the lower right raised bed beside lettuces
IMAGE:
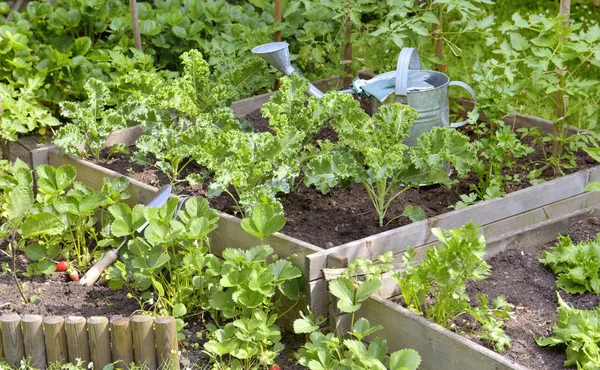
(530, 287)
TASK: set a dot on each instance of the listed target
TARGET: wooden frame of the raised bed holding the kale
(517, 210)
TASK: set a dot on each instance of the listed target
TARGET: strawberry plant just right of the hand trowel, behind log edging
(168, 265)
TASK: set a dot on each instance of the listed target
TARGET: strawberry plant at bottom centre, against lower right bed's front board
(334, 350)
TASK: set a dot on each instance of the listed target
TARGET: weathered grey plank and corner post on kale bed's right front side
(496, 216)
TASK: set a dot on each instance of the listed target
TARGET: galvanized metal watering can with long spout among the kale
(423, 90)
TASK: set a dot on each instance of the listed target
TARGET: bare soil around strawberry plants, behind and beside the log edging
(54, 295)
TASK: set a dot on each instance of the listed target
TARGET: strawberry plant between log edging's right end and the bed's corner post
(247, 297)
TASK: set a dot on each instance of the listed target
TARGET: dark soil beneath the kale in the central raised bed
(344, 214)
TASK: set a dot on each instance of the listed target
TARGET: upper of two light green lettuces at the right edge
(576, 265)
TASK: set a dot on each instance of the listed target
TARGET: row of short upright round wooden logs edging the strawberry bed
(43, 341)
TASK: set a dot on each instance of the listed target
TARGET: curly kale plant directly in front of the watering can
(370, 150)
